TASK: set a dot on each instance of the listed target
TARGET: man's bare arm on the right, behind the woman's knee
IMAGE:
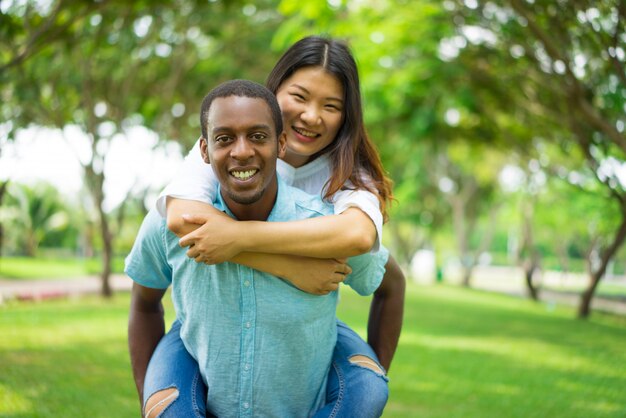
(386, 310)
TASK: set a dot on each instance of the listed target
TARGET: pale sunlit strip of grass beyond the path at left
(53, 268)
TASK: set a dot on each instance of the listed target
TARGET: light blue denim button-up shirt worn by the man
(264, 347)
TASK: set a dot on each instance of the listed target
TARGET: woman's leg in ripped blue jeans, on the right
(357, 384)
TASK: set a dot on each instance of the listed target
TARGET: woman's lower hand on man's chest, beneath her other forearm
(318, 276)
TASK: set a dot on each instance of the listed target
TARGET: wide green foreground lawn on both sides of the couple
(463, 353)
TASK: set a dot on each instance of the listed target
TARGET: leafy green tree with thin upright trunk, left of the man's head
(124, 64)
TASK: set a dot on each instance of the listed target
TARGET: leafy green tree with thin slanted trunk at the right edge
(566, 56)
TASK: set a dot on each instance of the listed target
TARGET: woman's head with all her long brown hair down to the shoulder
(317, 85)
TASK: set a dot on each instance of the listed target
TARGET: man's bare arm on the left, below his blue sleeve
(146, 327)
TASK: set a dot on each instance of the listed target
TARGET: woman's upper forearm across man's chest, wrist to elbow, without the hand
(345, 235)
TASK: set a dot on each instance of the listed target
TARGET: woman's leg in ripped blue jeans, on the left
(173, 386)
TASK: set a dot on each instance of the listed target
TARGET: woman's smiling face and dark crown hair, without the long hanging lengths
(335, 101)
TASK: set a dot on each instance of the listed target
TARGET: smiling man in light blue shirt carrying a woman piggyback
(263, 346)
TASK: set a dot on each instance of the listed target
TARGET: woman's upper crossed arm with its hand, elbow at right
(335, 236)
